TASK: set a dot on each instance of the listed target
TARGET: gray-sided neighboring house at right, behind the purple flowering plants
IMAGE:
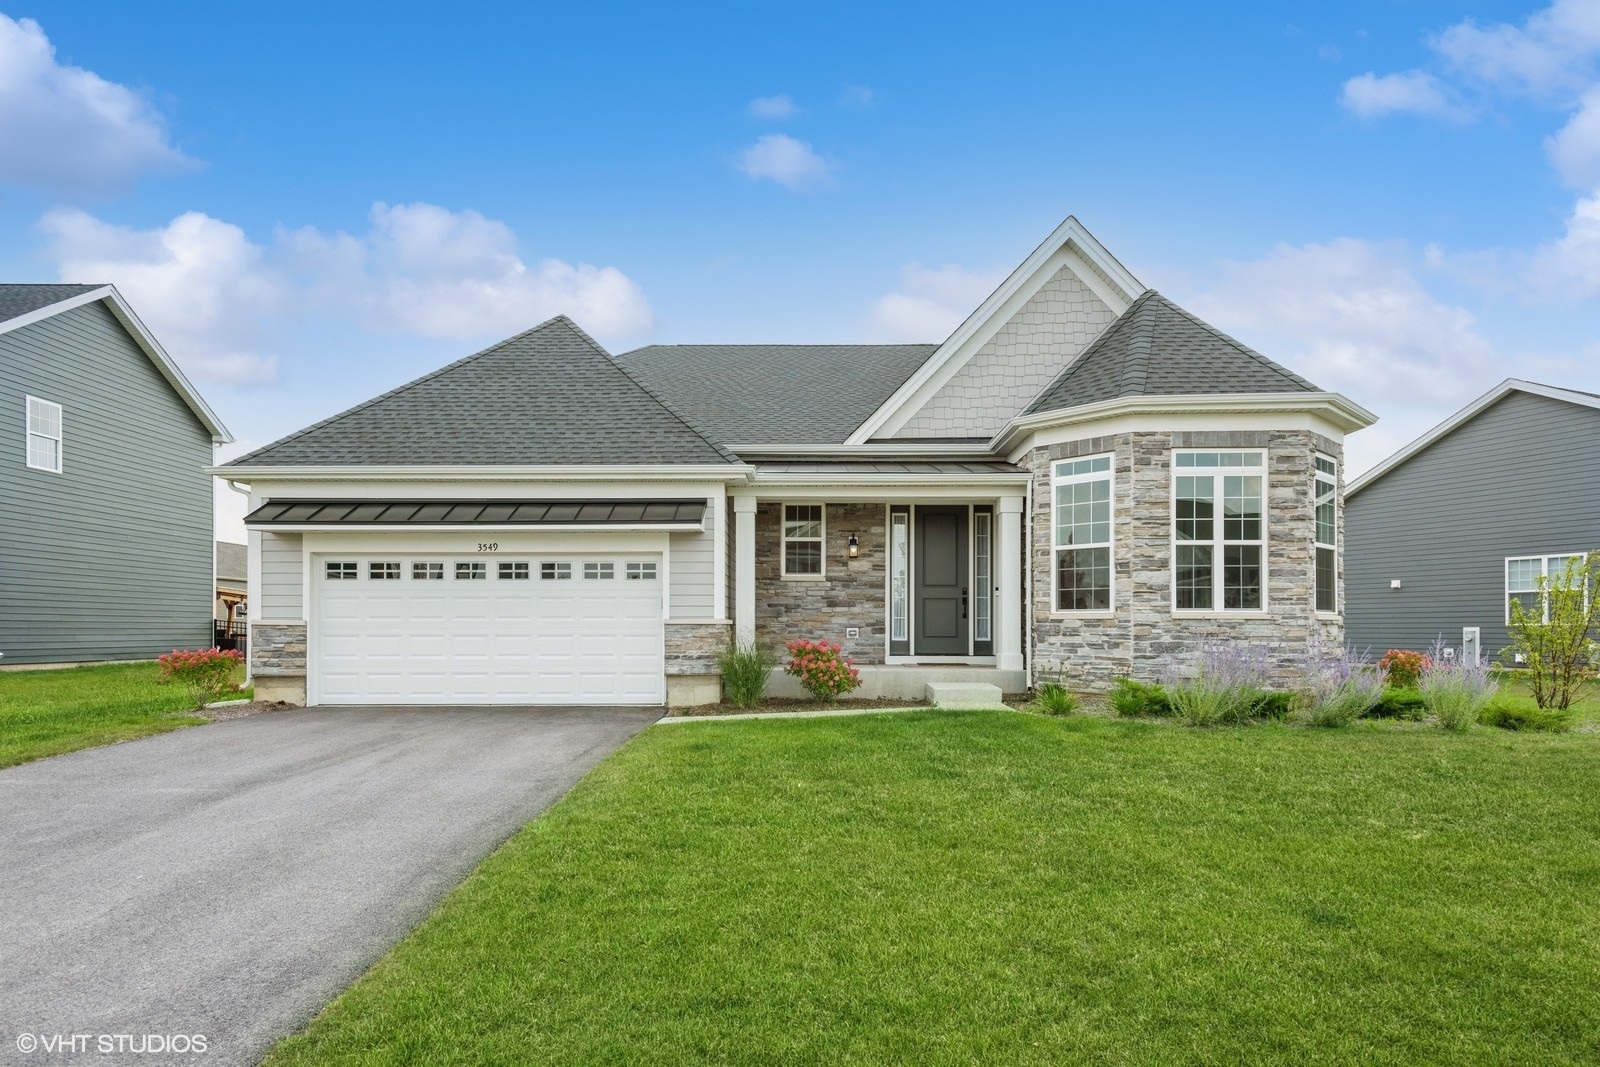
(1446, 533)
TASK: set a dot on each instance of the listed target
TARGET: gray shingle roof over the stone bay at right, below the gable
(1158, 350)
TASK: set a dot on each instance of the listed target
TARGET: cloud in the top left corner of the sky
(70, 130)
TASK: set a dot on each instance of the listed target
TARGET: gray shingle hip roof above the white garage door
(550, 396)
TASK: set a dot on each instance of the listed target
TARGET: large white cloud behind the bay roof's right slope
(1353, 318)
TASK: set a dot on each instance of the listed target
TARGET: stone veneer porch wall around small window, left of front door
(850, 594)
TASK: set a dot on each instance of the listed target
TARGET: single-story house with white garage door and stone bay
(1084, 478)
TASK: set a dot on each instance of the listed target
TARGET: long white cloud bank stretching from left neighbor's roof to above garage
(215, 298)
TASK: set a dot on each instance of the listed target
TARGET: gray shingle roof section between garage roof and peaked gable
(780, 394)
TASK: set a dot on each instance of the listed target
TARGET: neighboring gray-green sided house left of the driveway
(105, 498)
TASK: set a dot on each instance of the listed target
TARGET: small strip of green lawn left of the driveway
(49, 713)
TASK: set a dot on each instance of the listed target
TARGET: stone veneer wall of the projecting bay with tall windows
(1142, 637)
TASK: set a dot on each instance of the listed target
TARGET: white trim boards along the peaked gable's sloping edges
(1070, 246)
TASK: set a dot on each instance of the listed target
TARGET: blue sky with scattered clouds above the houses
(311, 204)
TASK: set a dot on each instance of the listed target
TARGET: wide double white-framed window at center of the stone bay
(1220, 532)
